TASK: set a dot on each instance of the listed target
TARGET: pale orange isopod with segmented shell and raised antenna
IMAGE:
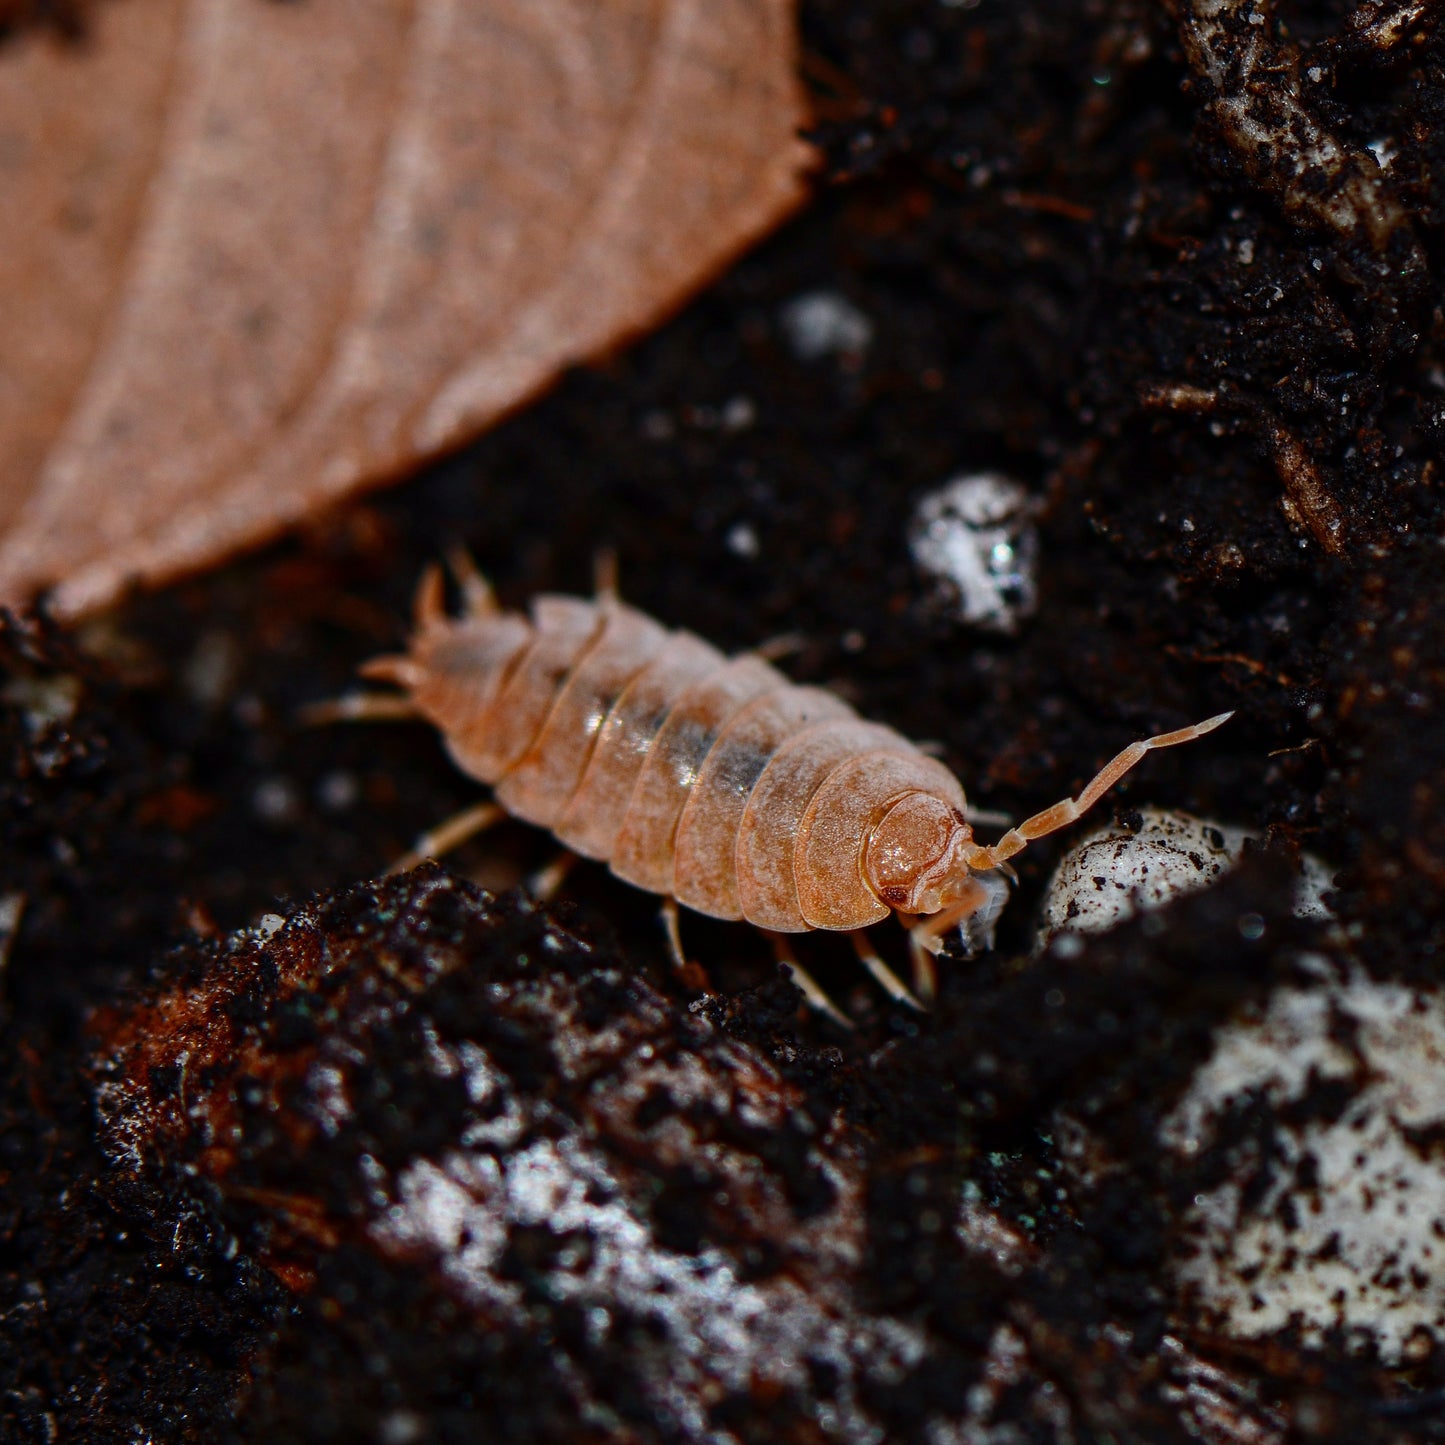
(712, 781)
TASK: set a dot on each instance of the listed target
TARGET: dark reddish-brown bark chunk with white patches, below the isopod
(517, 1190)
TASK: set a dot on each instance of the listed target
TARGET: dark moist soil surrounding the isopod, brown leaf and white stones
(1229, 410)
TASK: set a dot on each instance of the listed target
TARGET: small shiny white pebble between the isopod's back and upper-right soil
(976, 538)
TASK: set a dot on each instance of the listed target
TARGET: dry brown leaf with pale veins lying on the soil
(256, 258)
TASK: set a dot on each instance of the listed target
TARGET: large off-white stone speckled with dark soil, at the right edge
(1337, 1219)
